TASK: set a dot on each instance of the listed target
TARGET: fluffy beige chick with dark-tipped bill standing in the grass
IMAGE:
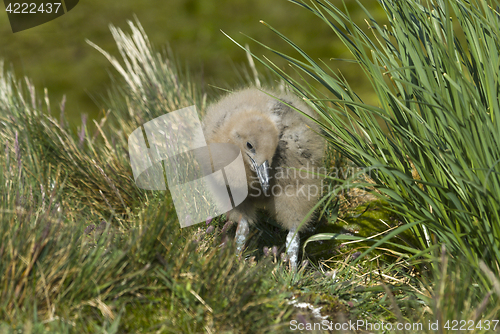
(279, 145)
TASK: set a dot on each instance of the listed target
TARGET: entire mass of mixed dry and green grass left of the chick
(85, 251)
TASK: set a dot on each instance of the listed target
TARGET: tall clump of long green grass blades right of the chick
(433, 135)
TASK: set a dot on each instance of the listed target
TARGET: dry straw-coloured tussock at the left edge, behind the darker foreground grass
(92, 164)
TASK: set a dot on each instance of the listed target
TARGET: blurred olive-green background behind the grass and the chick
(55, 54)
